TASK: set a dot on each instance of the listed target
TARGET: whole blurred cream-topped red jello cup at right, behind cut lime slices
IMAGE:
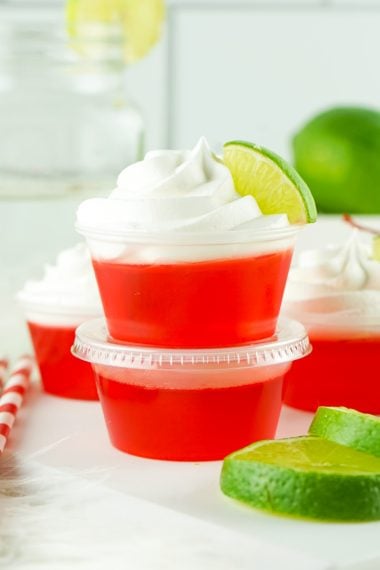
(335, 293)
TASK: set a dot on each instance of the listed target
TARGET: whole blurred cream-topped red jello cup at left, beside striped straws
(54, 306)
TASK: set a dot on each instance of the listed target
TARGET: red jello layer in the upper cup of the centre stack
(214, 303)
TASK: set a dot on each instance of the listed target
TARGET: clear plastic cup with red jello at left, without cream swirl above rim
(52, 331)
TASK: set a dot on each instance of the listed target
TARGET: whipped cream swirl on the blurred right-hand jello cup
(337, 282)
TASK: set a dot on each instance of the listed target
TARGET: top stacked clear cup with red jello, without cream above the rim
(191, 290)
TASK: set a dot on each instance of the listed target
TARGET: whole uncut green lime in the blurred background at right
(337, 153)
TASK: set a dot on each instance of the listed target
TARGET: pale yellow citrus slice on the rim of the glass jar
(139, 23)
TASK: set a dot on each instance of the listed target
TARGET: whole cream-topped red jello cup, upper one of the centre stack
(182, 259)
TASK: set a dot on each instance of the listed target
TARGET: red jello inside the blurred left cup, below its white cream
(61, 373)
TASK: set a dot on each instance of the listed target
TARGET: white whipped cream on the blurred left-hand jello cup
(67, 288)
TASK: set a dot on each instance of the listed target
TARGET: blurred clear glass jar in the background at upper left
(65, 123)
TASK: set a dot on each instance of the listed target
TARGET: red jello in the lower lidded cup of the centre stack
(154, 419)
